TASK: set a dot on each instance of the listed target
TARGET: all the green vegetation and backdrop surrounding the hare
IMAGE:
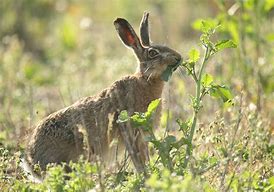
(216, 131)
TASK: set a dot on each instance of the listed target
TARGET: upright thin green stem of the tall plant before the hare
(196, 108)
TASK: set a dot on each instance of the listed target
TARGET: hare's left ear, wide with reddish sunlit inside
(128, 35)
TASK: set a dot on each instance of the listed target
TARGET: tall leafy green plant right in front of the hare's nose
(203, 81)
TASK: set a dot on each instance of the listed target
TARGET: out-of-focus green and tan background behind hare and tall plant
(53, 52)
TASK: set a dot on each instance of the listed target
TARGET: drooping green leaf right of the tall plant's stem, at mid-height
(222, 92)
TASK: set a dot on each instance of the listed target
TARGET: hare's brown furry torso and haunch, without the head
(57, 138)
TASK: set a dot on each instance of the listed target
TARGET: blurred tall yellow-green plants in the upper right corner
(244, 22)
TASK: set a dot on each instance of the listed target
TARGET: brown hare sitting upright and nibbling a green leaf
(58, 138)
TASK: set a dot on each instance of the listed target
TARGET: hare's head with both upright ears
(155, 61)
